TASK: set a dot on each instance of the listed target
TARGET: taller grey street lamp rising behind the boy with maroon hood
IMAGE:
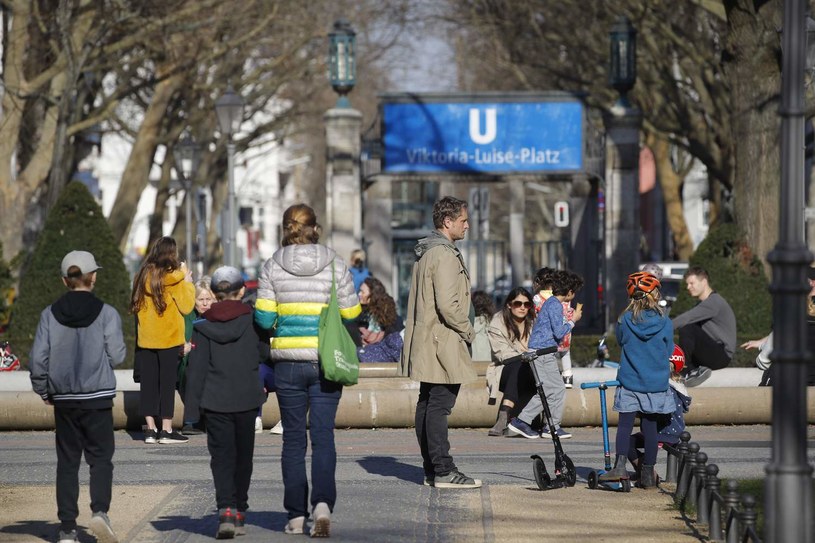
(229, 108)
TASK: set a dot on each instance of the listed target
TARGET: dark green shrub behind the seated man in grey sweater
(738, 275)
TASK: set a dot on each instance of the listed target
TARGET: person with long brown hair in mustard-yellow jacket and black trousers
(163, 293)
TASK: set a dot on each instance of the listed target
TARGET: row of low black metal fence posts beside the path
(730, 516)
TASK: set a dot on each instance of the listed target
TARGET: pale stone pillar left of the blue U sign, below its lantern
(342, 227)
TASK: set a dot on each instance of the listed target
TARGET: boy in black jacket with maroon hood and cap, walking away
(223, 372)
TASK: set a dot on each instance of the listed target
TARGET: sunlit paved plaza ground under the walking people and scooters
(163, 493)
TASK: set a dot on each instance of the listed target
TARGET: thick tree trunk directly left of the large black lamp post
(754, 77)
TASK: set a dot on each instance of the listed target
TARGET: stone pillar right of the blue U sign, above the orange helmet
(622, 217)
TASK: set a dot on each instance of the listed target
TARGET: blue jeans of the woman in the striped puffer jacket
(304, 396)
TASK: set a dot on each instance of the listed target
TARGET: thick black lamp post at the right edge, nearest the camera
(788, 486)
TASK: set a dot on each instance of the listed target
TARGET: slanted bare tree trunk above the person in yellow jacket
(137, 172)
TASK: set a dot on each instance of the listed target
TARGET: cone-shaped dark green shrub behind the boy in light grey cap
(75, 223)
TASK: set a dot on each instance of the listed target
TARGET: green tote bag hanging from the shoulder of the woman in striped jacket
(338, 352)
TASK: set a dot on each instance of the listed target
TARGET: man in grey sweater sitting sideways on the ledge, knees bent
(707, 332)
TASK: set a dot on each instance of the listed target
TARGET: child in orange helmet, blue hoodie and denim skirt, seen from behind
(645, 336)
